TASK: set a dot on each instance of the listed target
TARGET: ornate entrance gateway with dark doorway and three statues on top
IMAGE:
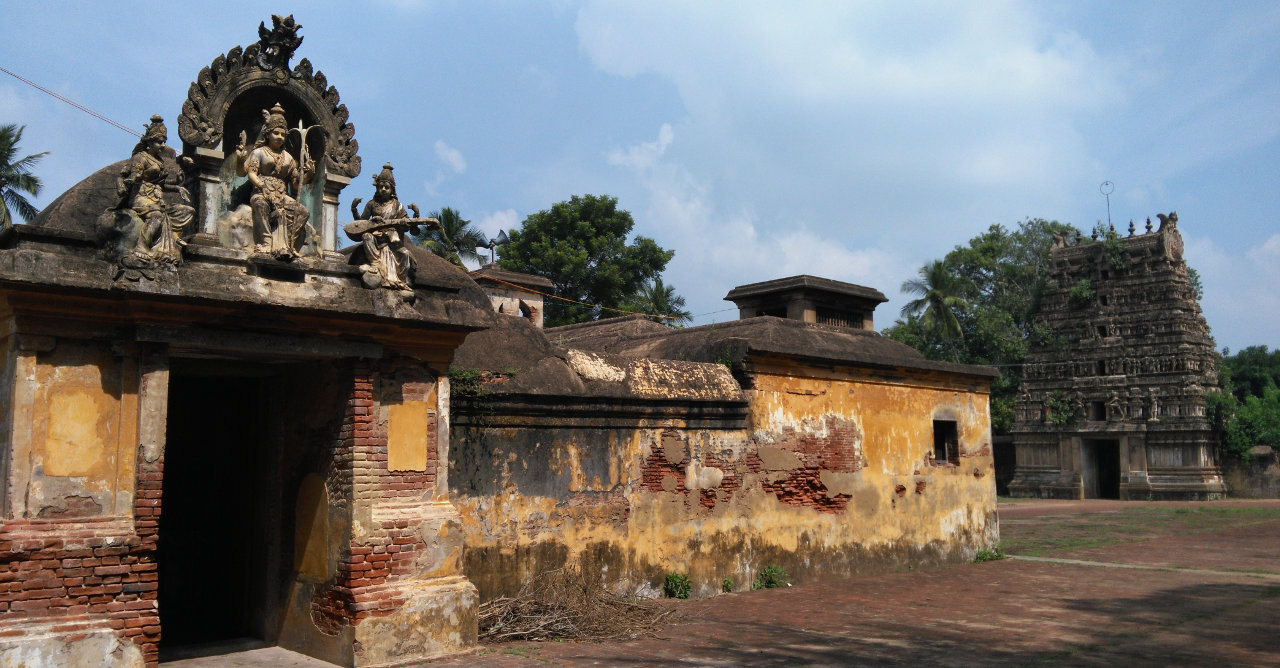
(214, 423)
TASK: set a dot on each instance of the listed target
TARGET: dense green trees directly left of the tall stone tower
(996, 281)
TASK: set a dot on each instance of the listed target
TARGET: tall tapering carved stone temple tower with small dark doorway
(1113, 402)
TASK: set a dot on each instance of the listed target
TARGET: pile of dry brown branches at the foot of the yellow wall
(566, 605)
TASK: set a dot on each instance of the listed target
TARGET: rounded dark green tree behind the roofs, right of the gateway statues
(582, 248)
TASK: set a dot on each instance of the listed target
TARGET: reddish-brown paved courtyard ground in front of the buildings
(1089, 584)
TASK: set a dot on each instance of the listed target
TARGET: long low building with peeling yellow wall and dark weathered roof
(634, 451)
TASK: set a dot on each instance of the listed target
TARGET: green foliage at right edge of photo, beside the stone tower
(1249, 413)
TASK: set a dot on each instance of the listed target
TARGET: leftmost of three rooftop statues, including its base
(154, 203)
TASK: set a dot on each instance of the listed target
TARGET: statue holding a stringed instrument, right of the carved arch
(381, 231)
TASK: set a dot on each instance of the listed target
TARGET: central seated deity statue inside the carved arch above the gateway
(280, 218)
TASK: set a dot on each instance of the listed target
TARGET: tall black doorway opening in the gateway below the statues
(213, 510)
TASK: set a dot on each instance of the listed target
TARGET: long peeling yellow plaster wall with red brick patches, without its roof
(830, 475)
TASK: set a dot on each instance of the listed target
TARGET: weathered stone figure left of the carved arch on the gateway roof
(143, 186)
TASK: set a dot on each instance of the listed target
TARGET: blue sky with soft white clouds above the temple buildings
(758, 140)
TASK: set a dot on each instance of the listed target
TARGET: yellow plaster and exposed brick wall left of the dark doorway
(77, 542)
